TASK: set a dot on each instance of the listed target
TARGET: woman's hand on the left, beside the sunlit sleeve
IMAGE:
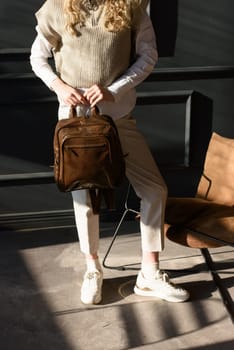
(66, 93)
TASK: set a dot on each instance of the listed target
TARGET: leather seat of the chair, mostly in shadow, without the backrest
(198, 223)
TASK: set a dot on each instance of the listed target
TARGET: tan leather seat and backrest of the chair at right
(208, 220)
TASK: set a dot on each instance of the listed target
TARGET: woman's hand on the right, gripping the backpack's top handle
(97, 93)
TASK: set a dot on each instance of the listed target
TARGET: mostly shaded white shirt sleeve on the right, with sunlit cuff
(147, 56)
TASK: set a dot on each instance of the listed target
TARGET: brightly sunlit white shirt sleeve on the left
(41, 51)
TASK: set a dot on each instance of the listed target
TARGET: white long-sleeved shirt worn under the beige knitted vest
(123, 89)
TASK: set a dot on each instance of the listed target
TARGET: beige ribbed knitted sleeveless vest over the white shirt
(96, 56)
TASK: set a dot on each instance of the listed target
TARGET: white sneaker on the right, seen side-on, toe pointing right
(160, 287)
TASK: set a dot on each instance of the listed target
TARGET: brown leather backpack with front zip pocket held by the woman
(88, 155)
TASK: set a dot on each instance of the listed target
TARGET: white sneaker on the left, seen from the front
(91, 290)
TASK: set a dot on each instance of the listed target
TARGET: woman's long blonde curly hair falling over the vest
(118, 14)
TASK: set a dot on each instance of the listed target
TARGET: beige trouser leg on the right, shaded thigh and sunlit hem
(147, 182)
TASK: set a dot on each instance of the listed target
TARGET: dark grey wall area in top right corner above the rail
(205, 33)
